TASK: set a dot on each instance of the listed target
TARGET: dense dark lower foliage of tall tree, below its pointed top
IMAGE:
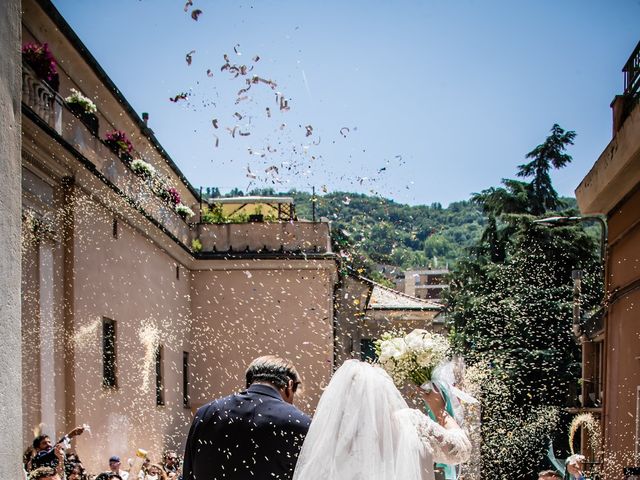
(516, 316)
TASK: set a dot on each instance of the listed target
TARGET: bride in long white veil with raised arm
(364, 430)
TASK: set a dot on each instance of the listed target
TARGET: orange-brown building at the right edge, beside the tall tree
(611, 354)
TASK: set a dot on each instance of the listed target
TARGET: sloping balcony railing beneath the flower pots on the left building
(51, 109)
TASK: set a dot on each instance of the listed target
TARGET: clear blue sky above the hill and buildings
(441, 98)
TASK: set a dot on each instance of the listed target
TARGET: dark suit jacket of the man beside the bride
(249, 435)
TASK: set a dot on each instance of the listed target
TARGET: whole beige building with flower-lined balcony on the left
(134, 314)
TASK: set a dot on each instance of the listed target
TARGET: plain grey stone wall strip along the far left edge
(10, 200)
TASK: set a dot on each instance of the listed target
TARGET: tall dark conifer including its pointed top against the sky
(510, 308)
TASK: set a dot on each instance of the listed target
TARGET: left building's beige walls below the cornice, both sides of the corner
(224, 314)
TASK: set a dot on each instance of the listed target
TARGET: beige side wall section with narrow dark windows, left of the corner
(131, 281)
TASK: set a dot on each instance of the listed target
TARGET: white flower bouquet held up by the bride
(412, 357)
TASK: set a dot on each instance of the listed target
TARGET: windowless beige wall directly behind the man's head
(244, 310)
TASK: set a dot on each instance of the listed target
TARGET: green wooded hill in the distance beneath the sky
(383, 231)
